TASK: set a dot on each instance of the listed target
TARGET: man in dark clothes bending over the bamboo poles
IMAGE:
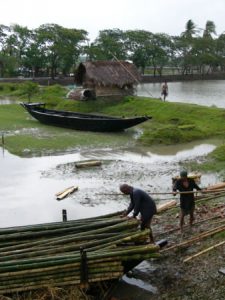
(140, 202)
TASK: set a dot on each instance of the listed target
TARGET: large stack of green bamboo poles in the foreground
(76, 252)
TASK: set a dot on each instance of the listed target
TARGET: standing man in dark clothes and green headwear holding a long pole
(187, 200)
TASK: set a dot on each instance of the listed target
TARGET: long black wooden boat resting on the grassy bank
(80, 121)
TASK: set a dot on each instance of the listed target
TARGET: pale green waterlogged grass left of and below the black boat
(25, 136)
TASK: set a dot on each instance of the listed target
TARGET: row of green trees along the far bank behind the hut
(51, 49)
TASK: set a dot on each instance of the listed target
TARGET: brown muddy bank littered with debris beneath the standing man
(170, 277)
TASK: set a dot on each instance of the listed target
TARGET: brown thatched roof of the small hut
(107, 73)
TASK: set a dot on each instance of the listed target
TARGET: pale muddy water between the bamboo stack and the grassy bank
(28, 185)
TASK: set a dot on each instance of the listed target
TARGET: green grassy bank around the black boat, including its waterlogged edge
(171, 123)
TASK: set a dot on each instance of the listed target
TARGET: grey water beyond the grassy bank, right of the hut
(201, 92)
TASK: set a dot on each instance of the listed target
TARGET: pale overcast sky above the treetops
(167, 16)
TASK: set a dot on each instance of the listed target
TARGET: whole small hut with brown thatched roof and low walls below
(108, 78)
